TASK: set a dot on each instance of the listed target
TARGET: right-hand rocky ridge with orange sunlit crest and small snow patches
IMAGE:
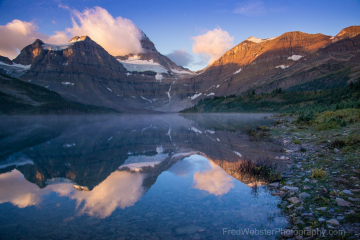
(255, 63)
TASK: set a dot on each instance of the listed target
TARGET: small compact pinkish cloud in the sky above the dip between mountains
(213, 44)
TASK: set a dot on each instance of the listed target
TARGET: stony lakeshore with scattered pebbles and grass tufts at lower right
(320, 189)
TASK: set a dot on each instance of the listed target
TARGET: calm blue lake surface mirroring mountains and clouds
(133, 177)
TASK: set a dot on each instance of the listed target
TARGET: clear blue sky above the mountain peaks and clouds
(171, 25)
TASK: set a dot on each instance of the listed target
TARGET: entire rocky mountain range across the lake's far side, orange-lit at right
(82, 71)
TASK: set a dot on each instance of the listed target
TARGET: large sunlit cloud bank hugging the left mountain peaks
(119, 36)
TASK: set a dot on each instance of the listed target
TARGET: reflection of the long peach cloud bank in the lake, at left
(119, 190)
